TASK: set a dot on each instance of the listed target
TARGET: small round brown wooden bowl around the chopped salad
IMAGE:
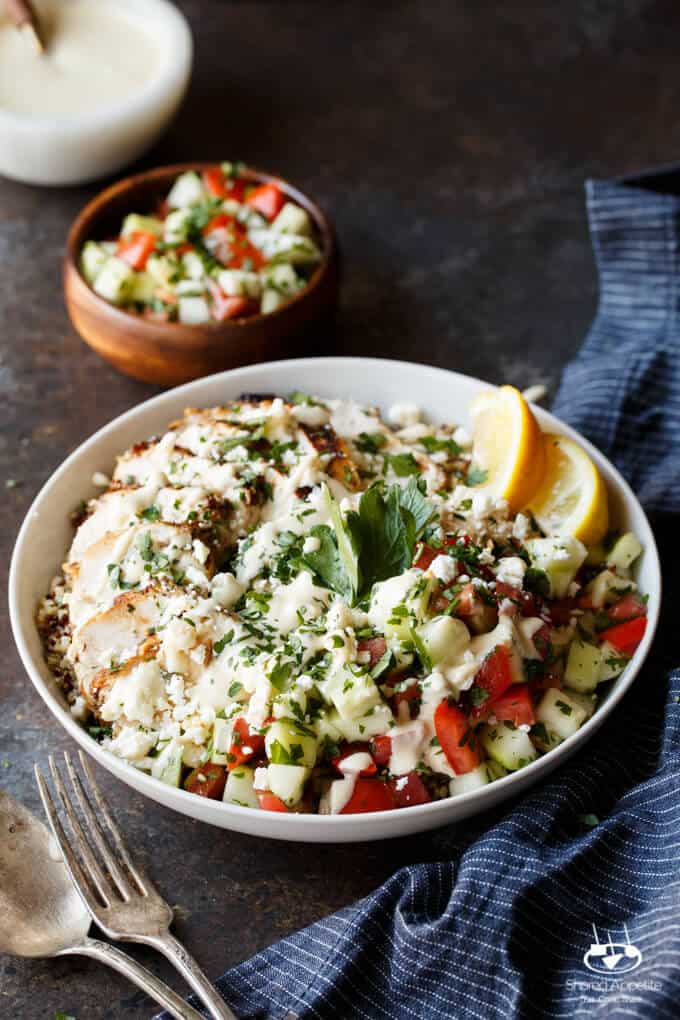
(169, 353)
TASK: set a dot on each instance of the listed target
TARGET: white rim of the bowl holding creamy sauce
(174, 75)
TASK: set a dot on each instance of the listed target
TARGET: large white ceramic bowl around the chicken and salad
(444, 396)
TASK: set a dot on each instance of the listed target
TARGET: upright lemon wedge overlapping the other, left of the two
(508, 445)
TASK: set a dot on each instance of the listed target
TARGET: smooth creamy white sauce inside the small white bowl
(96, 59)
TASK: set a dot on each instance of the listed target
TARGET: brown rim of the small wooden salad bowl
(172, 331)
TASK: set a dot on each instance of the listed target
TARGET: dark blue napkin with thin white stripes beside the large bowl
(511, 925)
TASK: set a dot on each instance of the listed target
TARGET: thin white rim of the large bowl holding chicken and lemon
(290, 823)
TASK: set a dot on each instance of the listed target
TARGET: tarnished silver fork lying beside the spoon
(121, 898)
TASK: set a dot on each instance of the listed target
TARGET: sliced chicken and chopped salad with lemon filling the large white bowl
(294, 606)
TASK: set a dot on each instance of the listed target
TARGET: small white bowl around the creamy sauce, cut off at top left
(75, 149)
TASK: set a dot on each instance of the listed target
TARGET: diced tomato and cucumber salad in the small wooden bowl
(218, 247)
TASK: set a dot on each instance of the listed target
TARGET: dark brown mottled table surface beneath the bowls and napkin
(450, 143)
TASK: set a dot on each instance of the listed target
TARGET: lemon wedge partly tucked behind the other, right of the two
(572, 497)
